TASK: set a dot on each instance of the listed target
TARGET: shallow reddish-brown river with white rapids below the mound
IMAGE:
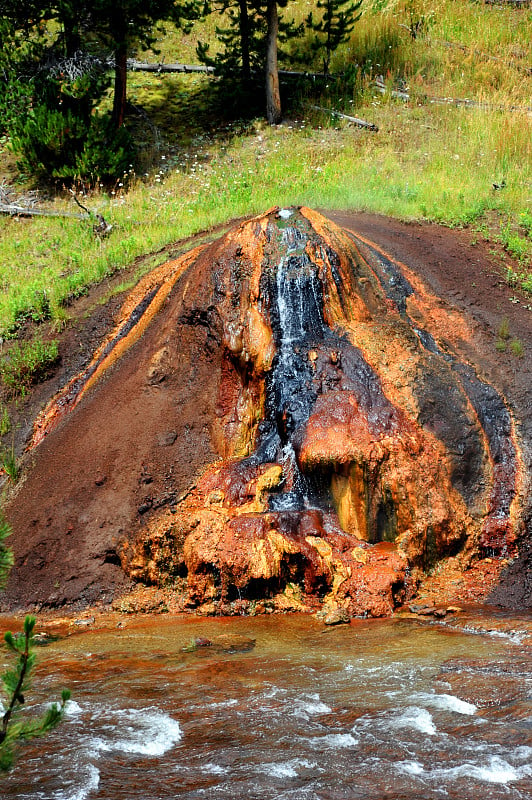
(379, 709)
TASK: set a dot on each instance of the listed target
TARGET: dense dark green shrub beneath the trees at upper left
(55, 131)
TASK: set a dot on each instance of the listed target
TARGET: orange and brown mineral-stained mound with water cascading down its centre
(275, 416)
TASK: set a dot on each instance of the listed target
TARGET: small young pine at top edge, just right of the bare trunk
(334, 27)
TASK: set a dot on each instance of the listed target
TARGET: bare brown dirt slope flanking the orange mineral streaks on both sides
(67, 530)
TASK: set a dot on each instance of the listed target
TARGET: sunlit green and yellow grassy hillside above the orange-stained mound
(454, 163)
